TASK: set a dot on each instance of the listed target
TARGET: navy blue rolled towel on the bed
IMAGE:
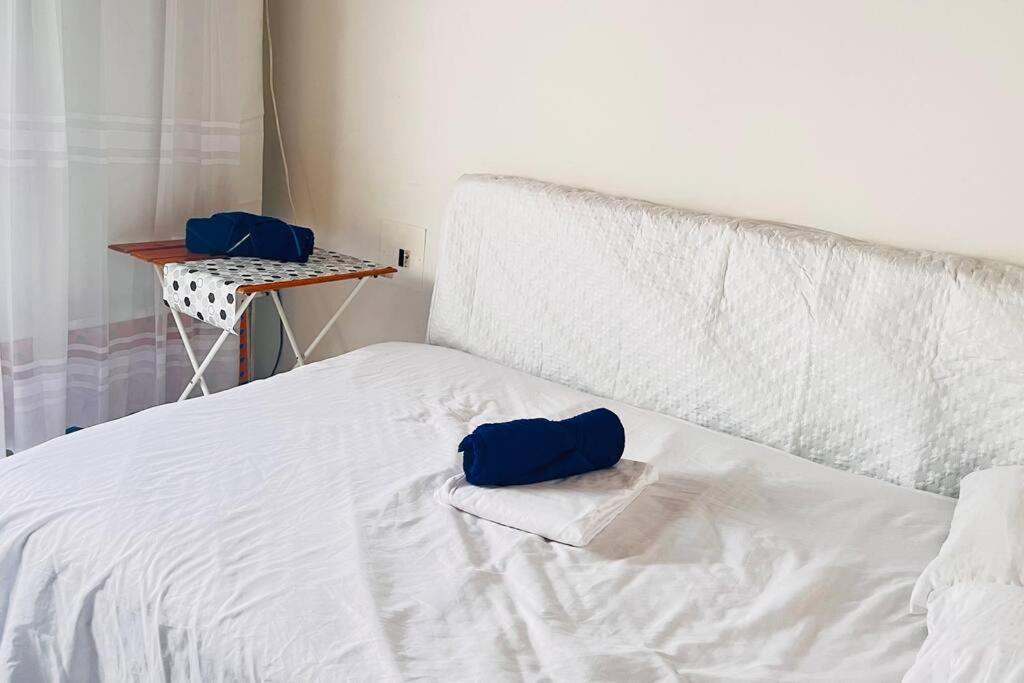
(537, 450)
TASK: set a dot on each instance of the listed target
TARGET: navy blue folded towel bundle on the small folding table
(241, 234)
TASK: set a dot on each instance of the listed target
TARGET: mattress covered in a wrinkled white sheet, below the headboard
(287, 531)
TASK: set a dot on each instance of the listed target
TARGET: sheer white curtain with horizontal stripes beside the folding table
(119, 119)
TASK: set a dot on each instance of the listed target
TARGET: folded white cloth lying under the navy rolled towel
(573, 510)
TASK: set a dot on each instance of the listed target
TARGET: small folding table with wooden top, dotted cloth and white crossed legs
(219, 290)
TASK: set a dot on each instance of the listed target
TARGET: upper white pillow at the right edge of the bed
(987, 539)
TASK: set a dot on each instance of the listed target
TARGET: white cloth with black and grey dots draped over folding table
(207, 290)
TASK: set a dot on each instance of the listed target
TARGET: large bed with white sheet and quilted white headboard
(287, 531)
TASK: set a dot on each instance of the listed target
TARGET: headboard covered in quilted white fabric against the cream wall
(900, 365)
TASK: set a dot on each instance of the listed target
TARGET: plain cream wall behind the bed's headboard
(897, 121)
